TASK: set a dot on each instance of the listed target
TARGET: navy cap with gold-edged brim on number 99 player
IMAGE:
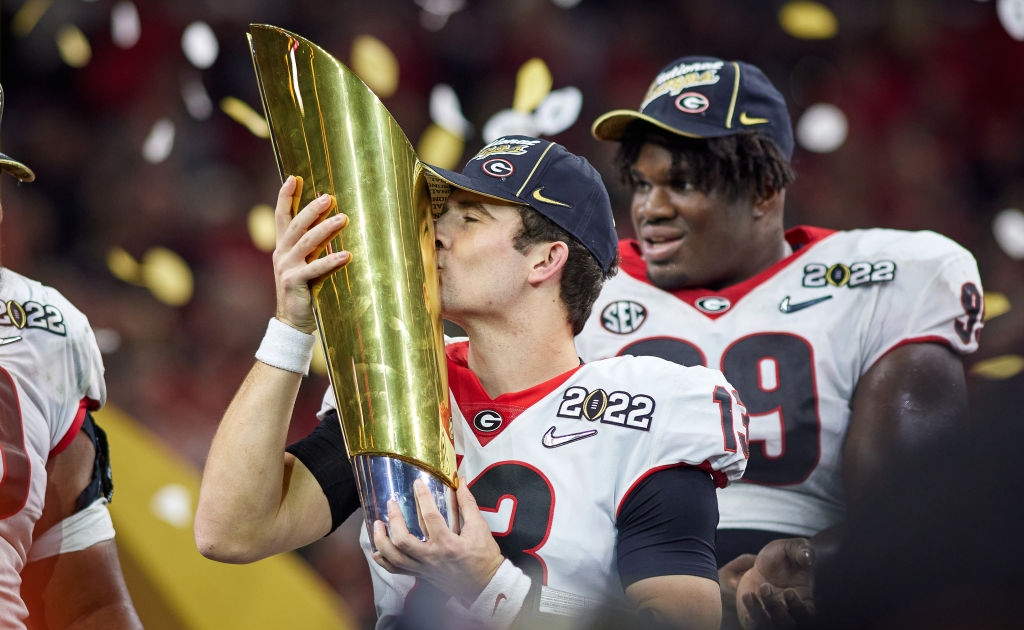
(706, 98)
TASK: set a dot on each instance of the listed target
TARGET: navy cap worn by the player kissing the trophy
(544, 176)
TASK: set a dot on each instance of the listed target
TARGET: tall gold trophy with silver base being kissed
(379, 317)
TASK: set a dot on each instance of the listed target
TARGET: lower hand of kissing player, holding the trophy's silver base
(460, 565)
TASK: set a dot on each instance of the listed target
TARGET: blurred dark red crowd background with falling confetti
(135, 180)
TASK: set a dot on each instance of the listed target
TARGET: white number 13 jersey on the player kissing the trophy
(551, 467)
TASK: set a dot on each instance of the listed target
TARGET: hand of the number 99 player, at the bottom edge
(779, 591)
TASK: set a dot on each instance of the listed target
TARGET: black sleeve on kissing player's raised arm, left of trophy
(323, 452)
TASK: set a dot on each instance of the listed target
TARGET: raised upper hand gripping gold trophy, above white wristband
(303, 236)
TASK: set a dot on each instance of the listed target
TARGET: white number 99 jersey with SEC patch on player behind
(795, 341)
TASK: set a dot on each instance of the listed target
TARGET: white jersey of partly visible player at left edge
(51, 371)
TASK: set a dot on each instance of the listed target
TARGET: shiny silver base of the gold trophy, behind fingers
(380, 479)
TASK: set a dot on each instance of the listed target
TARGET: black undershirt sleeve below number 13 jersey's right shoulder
(667, 527)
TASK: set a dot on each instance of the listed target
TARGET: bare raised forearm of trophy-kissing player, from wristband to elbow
(242, 494)
